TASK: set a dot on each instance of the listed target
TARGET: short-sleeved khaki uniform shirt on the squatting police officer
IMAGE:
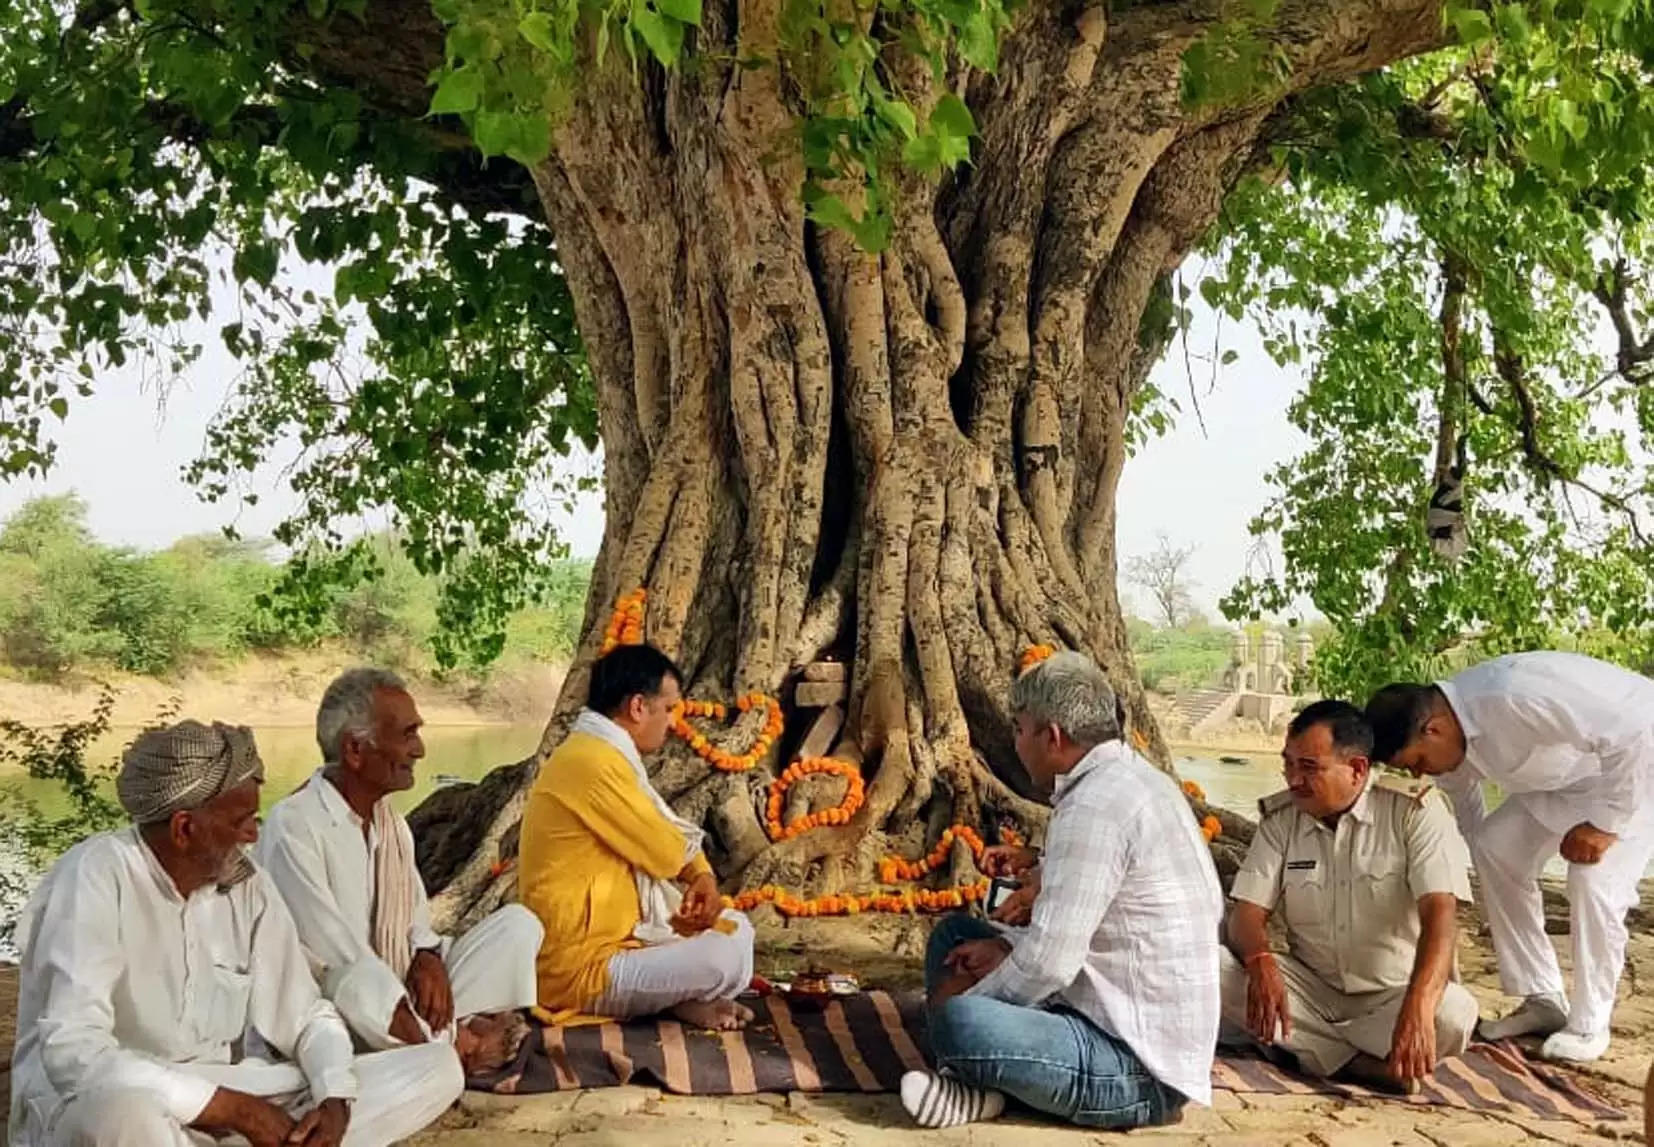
(1350, 893)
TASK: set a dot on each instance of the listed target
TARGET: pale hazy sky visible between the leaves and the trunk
(123, 453)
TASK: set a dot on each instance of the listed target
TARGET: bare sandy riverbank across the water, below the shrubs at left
(275, 691)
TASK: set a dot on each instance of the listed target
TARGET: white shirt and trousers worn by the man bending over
(1569, 741)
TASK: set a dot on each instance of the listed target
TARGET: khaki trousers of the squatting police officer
(1331, 1027)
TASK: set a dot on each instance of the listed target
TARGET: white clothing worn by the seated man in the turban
(138, 1004)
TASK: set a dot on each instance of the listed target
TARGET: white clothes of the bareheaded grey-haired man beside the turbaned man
(315, 848)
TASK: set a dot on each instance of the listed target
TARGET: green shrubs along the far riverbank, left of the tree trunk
(70, 603)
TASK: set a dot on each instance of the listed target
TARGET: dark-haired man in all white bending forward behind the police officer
(1570, 741)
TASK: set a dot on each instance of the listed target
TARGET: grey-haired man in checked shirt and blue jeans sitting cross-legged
(1104, 1010)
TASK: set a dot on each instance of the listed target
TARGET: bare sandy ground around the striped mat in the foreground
(886, 951)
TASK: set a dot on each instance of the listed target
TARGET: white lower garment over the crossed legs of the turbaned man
(399, 1095)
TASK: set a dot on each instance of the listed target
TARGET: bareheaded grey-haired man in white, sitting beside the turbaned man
(345, 861)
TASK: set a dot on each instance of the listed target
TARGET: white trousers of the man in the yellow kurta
(712, 966)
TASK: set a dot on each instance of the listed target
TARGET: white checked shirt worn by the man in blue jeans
(1127, 923)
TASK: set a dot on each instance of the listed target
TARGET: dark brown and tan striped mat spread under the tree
(866, 1042)
